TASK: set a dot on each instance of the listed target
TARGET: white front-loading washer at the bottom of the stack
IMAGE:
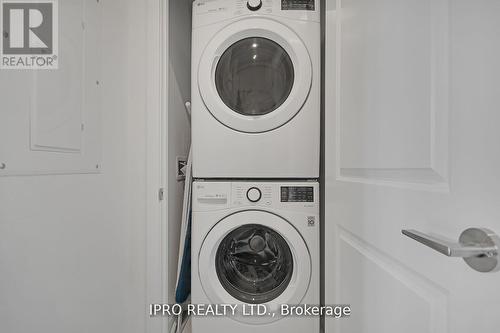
(255, 243)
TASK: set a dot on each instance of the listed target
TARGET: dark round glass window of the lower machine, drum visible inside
(254, 264)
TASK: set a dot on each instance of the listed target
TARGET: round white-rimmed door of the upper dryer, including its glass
(255, 75)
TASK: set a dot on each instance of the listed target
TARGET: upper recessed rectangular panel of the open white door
(392, 89)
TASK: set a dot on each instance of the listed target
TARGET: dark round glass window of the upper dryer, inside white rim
(254, 76)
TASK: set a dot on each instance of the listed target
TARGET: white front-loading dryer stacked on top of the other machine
(256, 88)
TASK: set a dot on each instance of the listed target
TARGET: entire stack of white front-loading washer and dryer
(256, 151)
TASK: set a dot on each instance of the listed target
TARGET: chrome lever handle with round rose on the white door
(478, 247)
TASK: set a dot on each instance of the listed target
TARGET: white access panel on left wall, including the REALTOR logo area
(50, 119)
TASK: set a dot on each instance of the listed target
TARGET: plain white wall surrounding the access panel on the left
(72, 248)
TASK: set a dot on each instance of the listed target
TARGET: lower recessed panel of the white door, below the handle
(385, 296)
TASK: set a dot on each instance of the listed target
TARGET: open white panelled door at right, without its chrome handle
(412, 142)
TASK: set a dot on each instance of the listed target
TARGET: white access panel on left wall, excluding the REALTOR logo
(54, 116)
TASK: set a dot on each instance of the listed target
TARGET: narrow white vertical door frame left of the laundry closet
(157, 256)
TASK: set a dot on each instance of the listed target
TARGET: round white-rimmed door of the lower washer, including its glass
(254, 257)
